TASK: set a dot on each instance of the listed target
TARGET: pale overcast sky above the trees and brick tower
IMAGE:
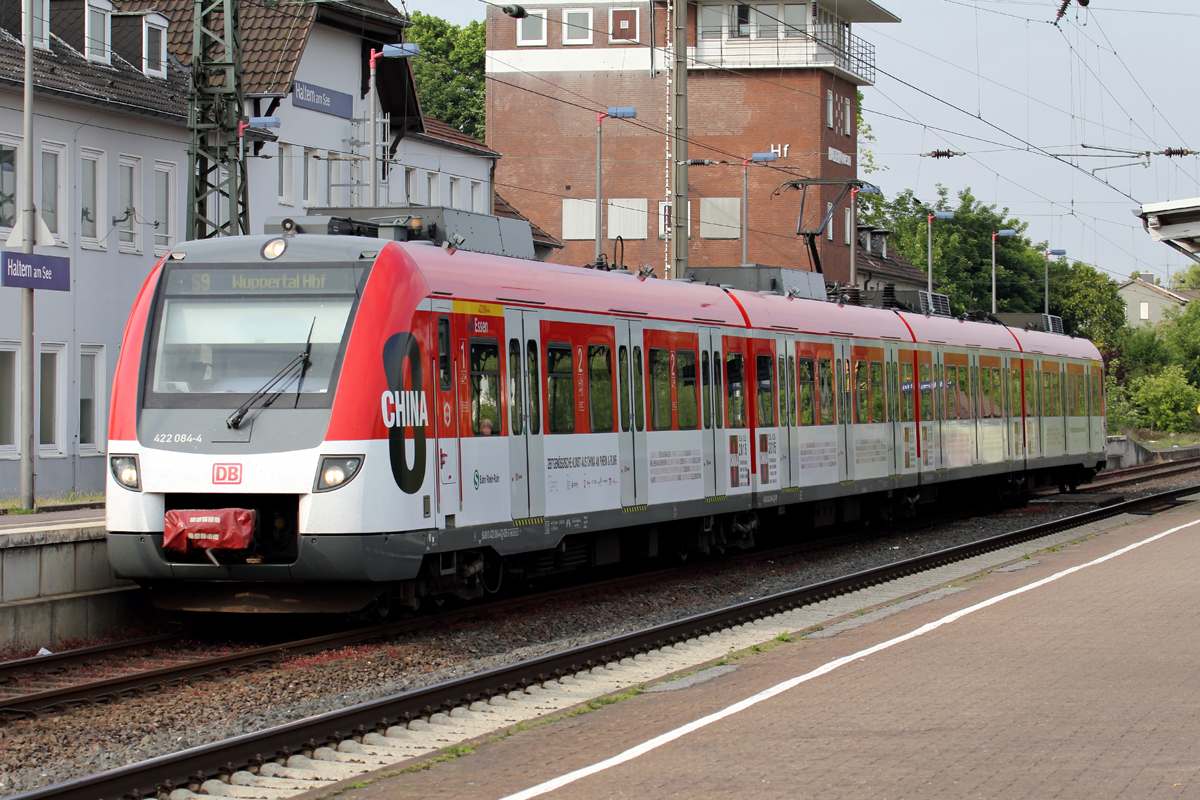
(998, 81)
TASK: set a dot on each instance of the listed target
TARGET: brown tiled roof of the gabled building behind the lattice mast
(273, 37)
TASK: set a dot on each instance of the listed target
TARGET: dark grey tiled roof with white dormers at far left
(123, 87)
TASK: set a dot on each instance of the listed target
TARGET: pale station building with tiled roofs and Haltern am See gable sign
(111, 176)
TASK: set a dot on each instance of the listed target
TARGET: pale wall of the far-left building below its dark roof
(106, 276)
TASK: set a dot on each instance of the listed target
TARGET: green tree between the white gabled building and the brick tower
(449, 74)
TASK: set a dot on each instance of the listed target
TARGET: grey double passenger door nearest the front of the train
(526, 453)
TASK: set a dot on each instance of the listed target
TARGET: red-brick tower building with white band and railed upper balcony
(763, 77)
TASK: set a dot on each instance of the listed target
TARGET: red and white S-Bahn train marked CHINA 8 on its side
(441, 419)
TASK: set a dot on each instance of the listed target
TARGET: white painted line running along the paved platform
(778, 689)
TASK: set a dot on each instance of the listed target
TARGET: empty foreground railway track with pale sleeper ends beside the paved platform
(353, 741)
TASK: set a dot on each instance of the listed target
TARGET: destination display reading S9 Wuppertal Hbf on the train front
(293, 280)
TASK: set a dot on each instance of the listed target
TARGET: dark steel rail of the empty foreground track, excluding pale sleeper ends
(196, 765)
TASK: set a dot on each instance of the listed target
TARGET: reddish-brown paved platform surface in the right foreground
(1083, 687)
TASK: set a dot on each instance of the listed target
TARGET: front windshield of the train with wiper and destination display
(226, 332)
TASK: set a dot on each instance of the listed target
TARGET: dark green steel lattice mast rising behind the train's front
(219, 199)
